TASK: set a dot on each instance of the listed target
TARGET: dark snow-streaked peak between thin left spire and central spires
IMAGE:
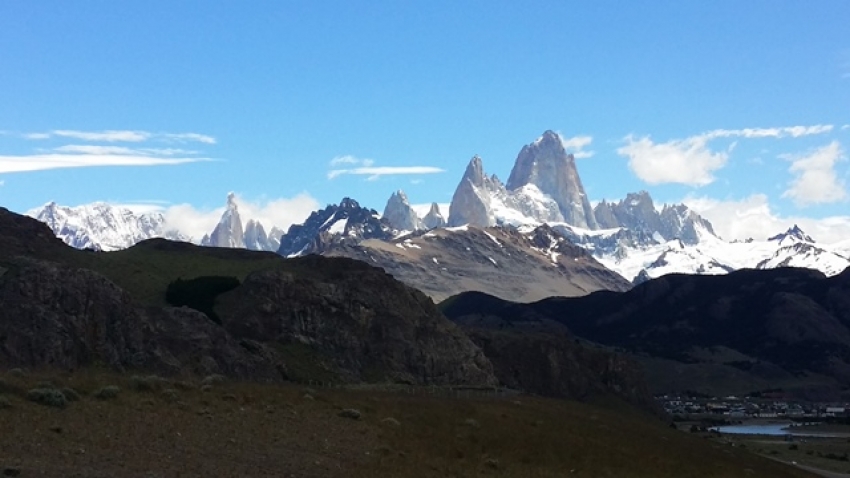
(347, 222)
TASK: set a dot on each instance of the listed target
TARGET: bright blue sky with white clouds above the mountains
(739, 108)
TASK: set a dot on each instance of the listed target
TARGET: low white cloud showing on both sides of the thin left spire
(280, 212)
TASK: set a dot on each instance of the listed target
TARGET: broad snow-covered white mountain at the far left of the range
(101, 226)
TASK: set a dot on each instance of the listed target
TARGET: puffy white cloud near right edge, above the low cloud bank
(816, 180)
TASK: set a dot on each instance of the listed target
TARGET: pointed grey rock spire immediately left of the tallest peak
(471, 201)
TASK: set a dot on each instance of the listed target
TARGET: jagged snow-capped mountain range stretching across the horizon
(632, 236)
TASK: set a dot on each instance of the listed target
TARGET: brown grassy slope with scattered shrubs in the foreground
(245, 429)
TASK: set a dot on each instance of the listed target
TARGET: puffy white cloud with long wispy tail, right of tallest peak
(691, 161)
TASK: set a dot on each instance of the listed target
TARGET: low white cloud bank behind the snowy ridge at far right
(752, 217)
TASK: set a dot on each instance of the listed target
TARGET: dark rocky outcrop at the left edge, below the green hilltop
(57, 316)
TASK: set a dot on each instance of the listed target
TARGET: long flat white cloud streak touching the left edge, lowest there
(39, 162)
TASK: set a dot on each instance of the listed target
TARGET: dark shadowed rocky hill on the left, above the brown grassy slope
(309, 318)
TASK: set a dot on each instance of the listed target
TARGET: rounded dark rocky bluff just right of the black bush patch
(356, 321)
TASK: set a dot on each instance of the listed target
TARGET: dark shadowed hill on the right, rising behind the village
(742, 332)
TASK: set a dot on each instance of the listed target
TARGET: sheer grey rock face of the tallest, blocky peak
(546, 164)
